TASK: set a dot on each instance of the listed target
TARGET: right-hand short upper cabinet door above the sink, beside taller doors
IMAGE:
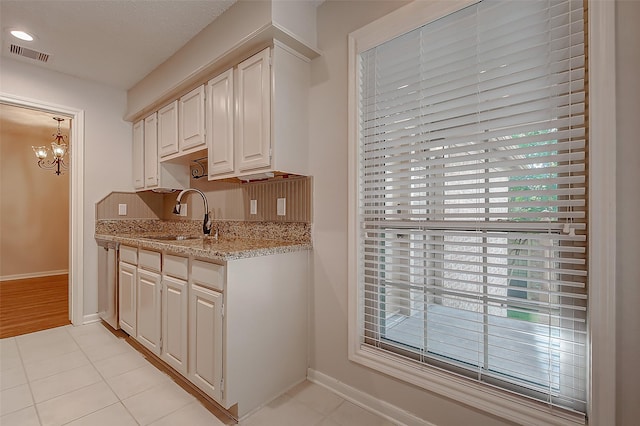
(191, 119)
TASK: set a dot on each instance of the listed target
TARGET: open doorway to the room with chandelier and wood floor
(34, 218)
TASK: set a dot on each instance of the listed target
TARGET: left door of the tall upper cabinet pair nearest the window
(219, 124)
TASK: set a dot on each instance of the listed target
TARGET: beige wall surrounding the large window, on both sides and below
(328, 162)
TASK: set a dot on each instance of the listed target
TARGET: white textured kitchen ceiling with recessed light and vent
(115, 42)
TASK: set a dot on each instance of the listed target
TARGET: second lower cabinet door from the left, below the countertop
(148, 310)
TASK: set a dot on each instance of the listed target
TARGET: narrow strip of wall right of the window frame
(628, 206)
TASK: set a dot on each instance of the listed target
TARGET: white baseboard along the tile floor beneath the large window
(381, 408)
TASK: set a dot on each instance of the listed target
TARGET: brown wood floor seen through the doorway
(33, 304)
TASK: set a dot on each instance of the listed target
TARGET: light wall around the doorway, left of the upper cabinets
(107, 143)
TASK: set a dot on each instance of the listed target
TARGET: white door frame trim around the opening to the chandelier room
(76, 208)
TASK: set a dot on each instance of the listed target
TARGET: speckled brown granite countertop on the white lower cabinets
(223, 248)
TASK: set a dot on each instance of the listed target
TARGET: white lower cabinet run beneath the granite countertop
(237, 330)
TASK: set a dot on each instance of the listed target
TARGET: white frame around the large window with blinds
(601, 208)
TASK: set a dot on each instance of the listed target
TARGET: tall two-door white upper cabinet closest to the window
(270, 124)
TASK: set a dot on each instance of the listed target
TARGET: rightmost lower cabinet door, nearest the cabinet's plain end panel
(205, 340)
